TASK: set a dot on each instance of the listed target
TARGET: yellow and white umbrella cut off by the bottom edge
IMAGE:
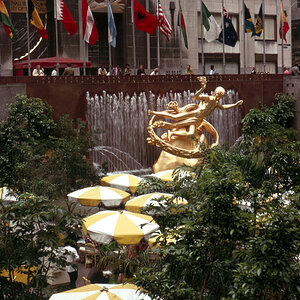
(102, 292)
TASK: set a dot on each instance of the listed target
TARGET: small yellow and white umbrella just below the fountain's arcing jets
(125, 182)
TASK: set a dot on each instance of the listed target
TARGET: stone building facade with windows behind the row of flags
(172, 56)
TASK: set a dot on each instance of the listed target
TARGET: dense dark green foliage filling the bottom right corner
(269, 262)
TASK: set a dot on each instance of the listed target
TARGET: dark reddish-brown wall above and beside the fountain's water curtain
(67, 94)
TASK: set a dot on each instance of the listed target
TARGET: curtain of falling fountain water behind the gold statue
(119, 122)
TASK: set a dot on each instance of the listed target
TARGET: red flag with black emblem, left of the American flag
(143, 20)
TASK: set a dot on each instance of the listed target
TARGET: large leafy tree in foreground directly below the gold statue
(208, 230)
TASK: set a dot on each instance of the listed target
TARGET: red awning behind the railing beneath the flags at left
(50, 62)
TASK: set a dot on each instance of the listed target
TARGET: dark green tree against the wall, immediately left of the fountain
(66, 168)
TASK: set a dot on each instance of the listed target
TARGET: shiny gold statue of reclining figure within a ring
(184, 139)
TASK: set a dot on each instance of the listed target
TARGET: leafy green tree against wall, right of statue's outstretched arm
(267, 135)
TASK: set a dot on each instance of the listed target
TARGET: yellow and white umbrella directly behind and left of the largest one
(92, 196)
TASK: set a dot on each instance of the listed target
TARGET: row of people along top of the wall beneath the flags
(118, 71)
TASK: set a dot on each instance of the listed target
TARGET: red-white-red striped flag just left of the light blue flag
(90, 33)
